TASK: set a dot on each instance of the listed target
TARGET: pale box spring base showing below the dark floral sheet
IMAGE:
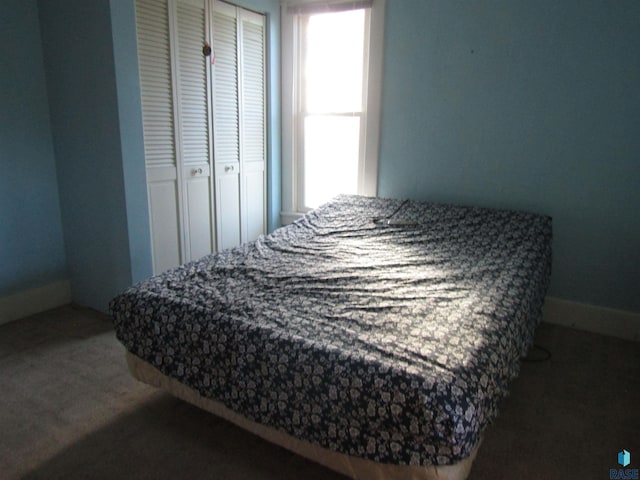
(353, 467)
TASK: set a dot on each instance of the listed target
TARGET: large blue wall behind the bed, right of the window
(525, 105)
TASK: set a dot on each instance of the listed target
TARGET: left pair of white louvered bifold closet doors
(174, 83)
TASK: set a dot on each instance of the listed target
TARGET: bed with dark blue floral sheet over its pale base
(374, 336)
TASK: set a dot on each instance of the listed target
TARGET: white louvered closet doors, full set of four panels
(202, 82)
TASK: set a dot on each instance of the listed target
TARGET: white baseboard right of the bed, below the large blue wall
(592, 318)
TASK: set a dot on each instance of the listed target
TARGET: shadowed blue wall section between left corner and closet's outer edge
(79, 64)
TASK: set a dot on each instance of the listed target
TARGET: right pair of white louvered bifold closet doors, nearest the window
(239, 124)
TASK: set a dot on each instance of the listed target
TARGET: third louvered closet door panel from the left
(226, 125)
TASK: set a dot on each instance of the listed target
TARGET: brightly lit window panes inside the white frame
(332, 96)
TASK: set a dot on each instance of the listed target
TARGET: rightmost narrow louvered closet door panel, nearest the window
(252, 127)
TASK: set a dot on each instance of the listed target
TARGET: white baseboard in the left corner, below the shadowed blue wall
(36, 300)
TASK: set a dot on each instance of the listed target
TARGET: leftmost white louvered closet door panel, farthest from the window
(163, 186)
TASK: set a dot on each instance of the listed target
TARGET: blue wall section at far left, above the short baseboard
(31, 239)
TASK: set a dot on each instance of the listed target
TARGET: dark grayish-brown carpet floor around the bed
(69, 409)
